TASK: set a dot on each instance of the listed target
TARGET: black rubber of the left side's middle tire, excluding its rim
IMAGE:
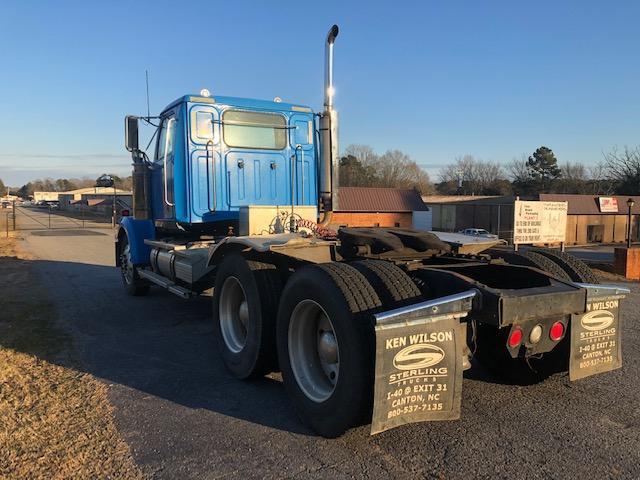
(261, 285)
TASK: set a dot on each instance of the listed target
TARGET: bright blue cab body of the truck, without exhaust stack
(214, 155)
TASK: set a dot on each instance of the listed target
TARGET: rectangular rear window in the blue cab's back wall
(254, 130)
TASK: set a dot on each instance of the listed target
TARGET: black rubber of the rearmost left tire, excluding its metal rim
(348, 300)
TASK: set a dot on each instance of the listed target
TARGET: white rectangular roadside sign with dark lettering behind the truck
(539, 222)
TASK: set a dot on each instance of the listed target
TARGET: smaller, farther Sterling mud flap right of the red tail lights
(595, 334)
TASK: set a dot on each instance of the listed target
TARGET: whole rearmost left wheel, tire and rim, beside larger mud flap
(326, 345)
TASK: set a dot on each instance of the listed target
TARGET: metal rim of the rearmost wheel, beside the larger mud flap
(313, 351)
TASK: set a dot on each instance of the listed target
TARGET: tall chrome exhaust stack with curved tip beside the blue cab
(329, 154)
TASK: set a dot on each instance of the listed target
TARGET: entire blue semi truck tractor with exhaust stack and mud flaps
(366, 325)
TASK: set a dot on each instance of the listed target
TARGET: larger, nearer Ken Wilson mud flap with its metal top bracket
(419, 364)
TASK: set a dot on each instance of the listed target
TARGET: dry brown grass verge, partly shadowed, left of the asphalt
(54, 421)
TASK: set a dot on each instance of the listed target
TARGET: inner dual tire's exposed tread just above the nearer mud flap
(393, 286)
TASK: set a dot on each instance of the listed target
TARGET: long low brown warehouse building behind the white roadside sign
(590, 218)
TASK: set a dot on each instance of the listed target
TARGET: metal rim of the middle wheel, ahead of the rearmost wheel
(233, 312)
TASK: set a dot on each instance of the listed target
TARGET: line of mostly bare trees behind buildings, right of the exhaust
(617, 173)
